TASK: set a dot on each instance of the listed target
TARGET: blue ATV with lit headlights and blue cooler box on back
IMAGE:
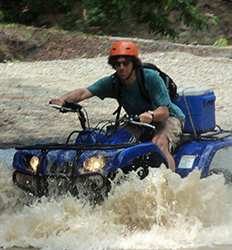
(87, 167)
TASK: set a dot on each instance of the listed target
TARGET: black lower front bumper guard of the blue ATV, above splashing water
(91, 186)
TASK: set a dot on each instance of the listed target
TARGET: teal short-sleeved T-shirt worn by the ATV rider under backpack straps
(132, 100)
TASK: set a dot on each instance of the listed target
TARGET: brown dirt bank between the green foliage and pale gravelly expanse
(34, 44)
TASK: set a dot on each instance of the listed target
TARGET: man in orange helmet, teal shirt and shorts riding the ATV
(125, 87)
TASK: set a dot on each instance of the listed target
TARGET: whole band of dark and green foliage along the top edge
(161, 16)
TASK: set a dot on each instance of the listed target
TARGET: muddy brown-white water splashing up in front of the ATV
(161, 212)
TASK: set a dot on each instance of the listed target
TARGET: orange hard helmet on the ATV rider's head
(124, 48)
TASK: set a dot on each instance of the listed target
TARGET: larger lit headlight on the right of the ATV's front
(95, 163)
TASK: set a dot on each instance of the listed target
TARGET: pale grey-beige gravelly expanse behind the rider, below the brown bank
(26, 87)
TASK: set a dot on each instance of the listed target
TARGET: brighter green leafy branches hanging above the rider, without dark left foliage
(160, 15)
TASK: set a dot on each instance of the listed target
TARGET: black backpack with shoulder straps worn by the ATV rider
(170, 84)
